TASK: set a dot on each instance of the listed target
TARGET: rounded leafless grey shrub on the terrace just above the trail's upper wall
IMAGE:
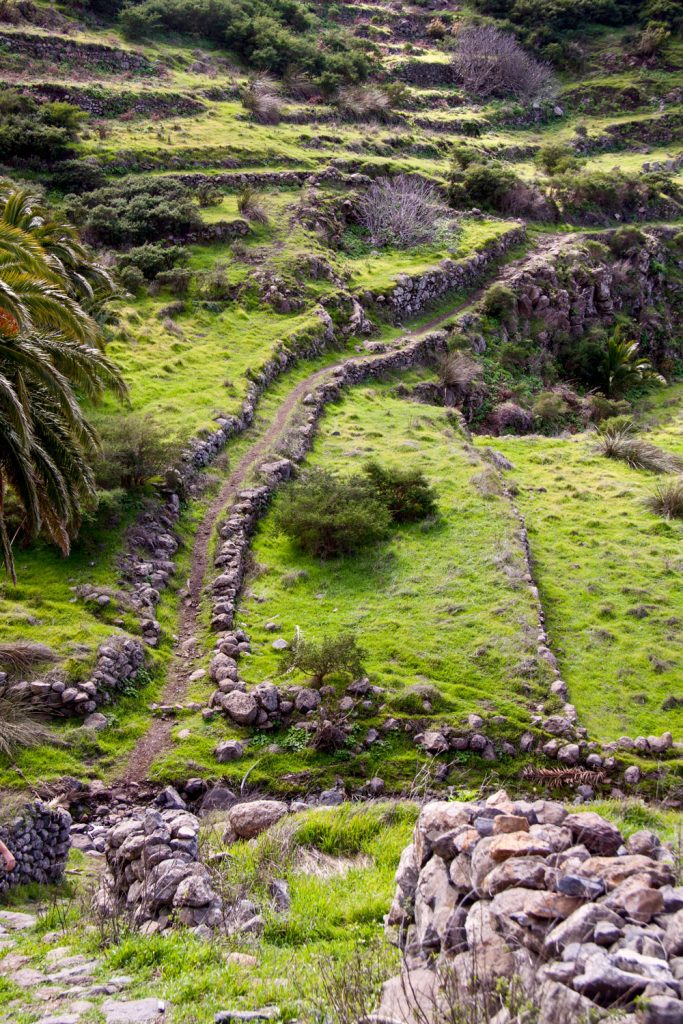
(402, 211)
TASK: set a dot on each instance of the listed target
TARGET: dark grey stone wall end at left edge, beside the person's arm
(39, 839)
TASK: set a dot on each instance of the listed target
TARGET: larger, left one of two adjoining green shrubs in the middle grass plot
(325, 515)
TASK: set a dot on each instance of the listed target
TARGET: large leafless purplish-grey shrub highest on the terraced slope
(491, 63)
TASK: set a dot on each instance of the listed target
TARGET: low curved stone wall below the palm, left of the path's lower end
(118, 663)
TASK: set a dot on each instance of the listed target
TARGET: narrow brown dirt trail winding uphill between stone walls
(187, 650)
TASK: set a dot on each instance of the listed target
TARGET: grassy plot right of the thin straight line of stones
(610, 578)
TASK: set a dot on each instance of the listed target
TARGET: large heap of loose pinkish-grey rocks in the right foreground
(501, 889)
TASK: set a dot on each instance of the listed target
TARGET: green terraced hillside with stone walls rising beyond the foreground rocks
(257, 318)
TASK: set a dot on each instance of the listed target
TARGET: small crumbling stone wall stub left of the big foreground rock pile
(154, 875)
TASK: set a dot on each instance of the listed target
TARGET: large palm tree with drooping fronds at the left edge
(51, 347)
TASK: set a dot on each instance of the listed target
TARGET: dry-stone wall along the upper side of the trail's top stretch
(413, 293)
